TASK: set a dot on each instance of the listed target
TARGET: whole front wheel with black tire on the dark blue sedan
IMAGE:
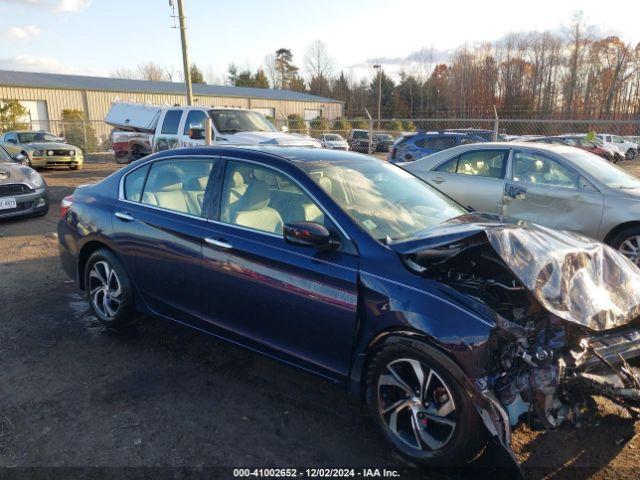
(454, 443)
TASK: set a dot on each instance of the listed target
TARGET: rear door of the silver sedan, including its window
(474, 178)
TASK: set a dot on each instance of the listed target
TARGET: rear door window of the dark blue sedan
(178, 185)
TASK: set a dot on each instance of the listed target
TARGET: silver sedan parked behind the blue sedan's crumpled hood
(558, 186)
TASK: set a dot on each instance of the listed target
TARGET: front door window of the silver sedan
(537, 169)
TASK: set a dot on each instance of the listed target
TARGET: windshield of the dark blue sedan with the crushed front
(388, 202)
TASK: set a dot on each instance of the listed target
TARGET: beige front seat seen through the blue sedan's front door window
(253, 211)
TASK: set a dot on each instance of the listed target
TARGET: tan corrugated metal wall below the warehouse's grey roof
(98, 102)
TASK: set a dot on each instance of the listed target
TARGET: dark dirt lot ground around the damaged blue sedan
(73, 395)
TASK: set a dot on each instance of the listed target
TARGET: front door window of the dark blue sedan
(264, 200)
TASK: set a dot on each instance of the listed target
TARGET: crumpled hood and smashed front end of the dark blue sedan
(566, 312)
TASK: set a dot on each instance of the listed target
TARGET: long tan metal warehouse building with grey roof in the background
(45, 95)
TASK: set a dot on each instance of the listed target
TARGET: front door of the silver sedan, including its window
(544, 189)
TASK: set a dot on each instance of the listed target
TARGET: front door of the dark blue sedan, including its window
(292, 301)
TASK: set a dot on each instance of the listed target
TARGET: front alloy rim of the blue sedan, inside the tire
(416, 405)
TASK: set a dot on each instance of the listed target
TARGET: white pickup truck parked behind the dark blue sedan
(141, 129)
